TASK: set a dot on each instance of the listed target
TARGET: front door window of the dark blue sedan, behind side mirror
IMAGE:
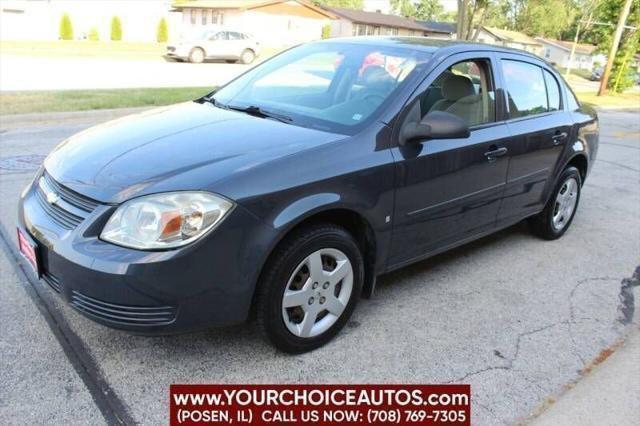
(465, 89)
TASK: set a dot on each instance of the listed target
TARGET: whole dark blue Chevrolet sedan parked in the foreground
(289, 190)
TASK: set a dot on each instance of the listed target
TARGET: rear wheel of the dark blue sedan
(561, 208)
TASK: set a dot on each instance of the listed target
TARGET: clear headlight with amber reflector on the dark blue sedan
(163, 221)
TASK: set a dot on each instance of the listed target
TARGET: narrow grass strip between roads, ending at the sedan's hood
(82, 100)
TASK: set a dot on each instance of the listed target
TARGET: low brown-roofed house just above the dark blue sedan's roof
(351, 22)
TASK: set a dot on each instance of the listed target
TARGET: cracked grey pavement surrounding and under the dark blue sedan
(516, 317)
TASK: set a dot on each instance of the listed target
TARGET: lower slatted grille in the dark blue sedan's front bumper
(123, 314)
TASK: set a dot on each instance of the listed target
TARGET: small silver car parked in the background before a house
(217, 44)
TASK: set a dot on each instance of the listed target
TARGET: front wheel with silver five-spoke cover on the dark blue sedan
(309, 325)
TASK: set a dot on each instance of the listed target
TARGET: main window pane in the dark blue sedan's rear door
(526, 89)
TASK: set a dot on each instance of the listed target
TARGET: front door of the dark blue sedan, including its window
(449, 190)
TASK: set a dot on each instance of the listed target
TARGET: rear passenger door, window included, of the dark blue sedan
(539, 129)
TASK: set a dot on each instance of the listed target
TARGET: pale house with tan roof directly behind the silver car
(272, 22)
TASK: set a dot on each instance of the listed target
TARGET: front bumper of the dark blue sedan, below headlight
(209, 282)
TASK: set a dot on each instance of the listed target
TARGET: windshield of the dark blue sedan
(328, 86)
